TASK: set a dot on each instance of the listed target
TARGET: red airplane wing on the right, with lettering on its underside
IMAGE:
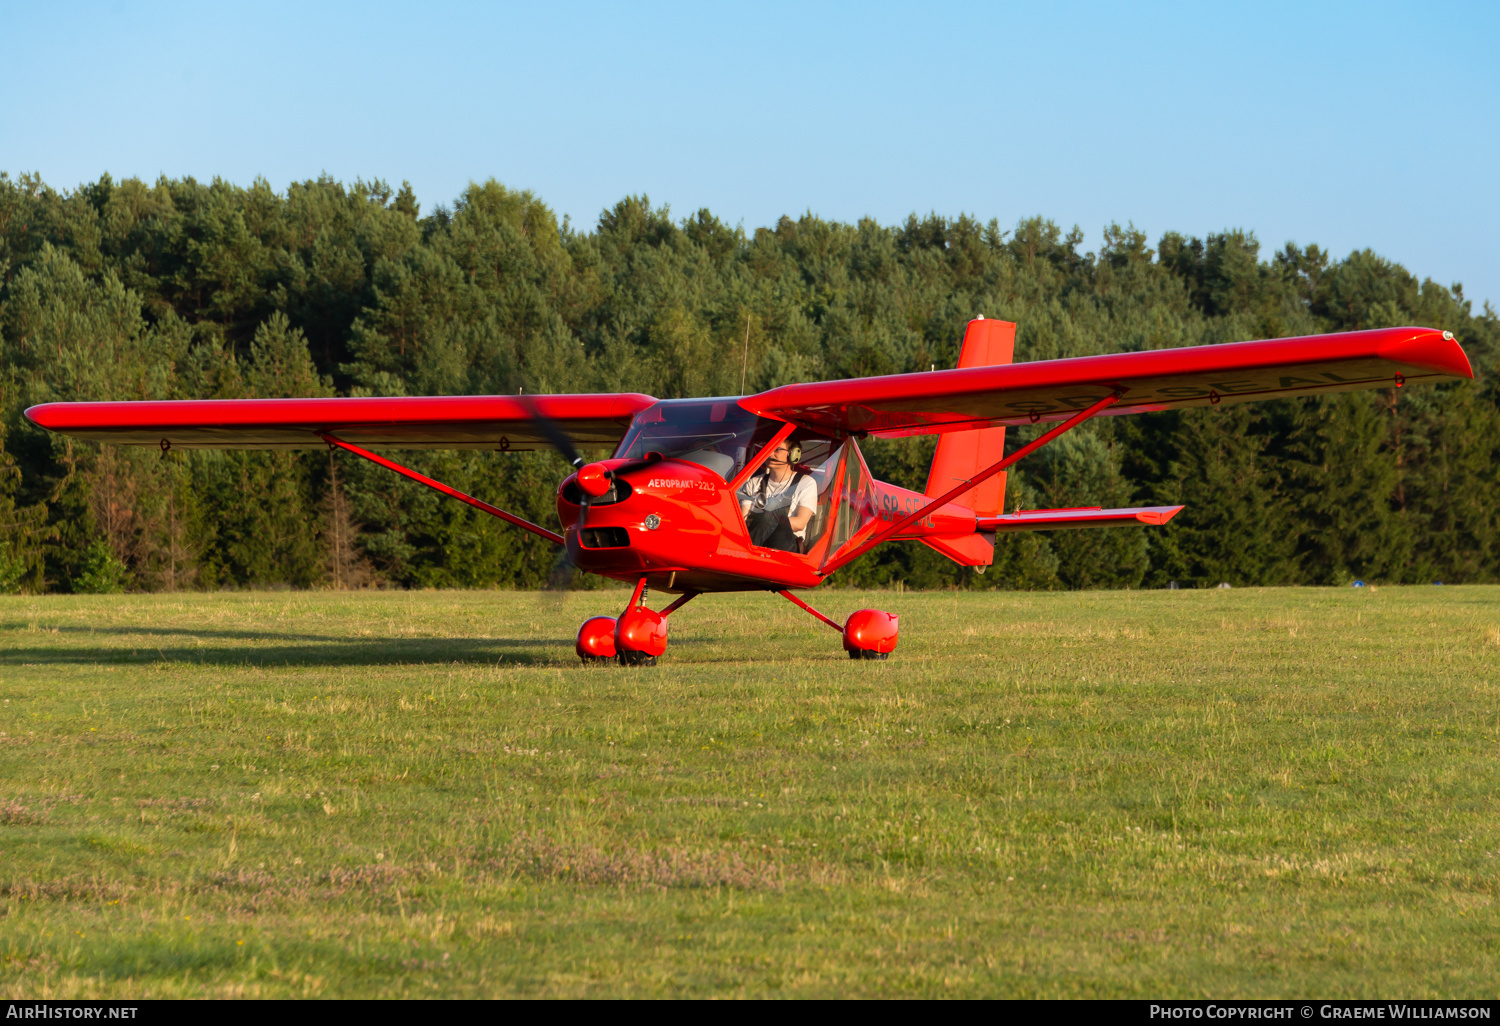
(1019, 394)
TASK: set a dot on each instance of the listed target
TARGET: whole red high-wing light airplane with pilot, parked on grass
(770, 491)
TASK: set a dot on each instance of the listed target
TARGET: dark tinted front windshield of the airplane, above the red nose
(718, 434)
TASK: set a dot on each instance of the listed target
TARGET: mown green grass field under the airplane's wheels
(1249, 793)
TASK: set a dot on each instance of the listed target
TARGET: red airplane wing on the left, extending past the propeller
(428, 422)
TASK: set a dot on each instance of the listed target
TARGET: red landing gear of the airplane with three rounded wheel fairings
(638, 635)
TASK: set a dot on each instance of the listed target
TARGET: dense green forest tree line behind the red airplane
(179, 289)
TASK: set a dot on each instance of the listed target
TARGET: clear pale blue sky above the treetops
(1348, 125)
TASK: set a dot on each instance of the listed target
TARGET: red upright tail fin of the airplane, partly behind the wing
(964, 454)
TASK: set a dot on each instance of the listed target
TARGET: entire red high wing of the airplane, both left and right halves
(904, 404)
